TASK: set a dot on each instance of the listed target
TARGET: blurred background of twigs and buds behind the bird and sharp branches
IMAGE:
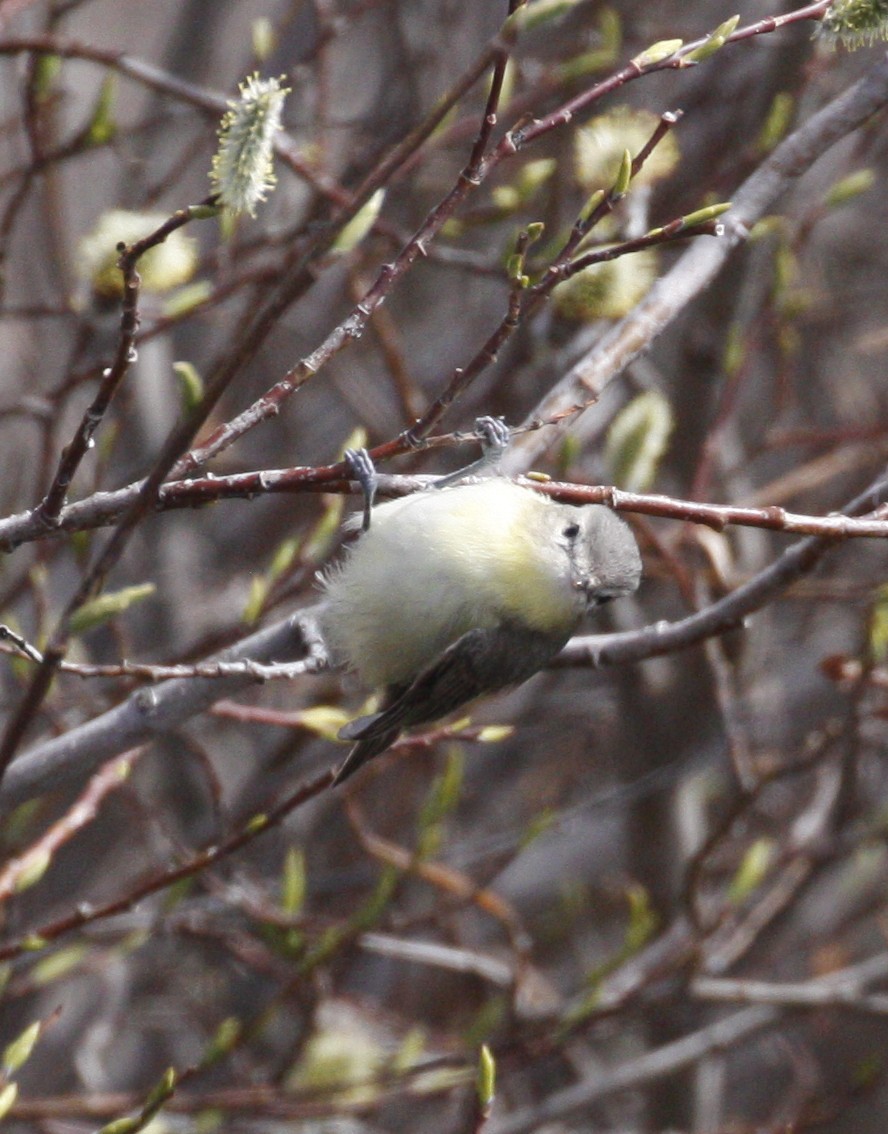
(583, 890)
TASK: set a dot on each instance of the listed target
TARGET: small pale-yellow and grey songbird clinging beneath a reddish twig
(454, 593)
